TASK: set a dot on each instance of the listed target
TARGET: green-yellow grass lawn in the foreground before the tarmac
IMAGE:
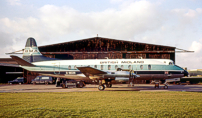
(101, 104)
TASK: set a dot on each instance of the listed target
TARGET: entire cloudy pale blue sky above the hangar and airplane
(176, 23)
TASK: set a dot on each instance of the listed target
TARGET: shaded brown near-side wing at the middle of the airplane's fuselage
(90, 70)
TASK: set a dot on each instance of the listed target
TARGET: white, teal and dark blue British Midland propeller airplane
(103, 70)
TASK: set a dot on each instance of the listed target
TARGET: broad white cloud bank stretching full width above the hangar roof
(140, 21)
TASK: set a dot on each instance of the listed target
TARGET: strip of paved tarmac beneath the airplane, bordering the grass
(118, 87)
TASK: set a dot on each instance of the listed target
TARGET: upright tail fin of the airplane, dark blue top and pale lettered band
(31, 52)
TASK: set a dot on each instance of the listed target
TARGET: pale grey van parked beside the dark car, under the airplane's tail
(43, 80)
